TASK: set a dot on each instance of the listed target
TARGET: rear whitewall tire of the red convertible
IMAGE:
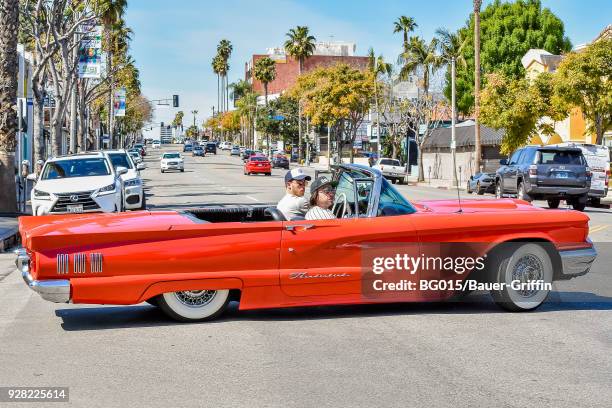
(194, 305)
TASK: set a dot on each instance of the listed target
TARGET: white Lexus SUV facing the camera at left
(79, 183)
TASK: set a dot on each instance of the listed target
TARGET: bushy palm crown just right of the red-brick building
(419, 54)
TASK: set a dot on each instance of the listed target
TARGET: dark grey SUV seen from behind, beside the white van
(545, 173)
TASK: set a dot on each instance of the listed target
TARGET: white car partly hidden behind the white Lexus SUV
(133, 191)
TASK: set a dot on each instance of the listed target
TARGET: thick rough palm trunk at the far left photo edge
(9, 27)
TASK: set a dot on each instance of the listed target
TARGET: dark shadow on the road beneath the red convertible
(137, 316)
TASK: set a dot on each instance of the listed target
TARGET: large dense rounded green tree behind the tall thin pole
(507, 32)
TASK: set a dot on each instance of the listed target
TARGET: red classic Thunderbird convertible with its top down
(192, 263)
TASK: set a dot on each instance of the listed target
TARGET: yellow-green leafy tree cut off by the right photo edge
(584, 79)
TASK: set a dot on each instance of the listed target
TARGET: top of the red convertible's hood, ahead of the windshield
(474, 206)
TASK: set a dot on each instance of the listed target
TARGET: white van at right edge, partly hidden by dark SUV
(598, 159)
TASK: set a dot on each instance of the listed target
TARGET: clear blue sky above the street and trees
(175, 41)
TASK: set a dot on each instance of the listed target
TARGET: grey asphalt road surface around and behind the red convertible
(438, 355)
